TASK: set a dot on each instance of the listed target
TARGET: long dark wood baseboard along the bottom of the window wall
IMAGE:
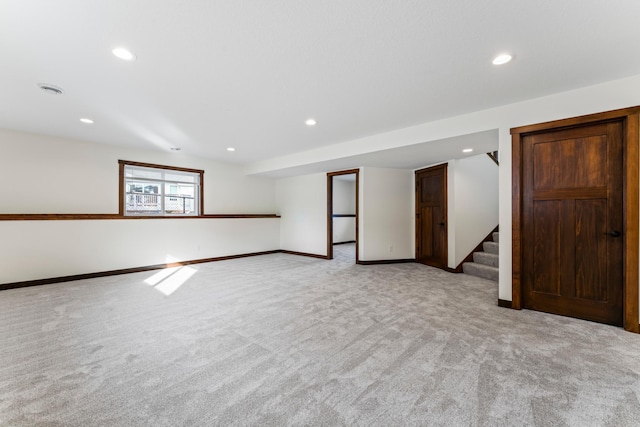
(49, 281)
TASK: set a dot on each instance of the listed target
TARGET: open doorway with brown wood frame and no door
(342, 214)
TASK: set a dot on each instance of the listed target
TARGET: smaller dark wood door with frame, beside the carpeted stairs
(431, 216)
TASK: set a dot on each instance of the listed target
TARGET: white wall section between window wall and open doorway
(302, 204)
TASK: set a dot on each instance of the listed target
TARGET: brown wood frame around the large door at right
(630, 118)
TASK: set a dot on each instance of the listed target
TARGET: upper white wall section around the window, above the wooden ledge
(55, 175)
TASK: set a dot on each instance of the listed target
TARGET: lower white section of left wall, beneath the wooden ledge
(32, 250)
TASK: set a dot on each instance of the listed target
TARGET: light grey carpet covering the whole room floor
(282, 340)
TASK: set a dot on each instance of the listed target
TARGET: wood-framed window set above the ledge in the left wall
(156, 190)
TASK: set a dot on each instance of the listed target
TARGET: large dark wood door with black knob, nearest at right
(572, 222)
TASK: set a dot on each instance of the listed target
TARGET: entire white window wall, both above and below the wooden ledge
(42, 174)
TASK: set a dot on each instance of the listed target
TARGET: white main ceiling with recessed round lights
(212, 74)
